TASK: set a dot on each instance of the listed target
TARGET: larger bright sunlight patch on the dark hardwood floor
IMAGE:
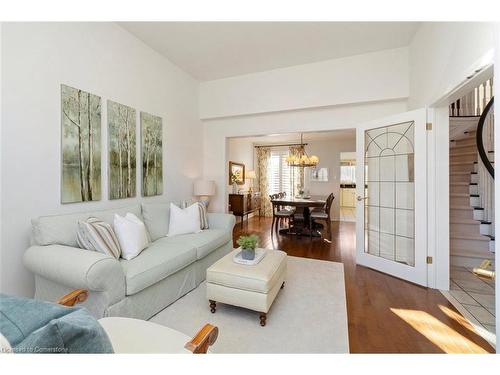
(447, 339)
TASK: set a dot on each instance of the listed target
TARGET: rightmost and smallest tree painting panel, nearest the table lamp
(151, 150)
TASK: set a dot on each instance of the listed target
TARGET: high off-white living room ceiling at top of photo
(213, 50)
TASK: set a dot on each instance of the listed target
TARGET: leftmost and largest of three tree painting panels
(80, 145)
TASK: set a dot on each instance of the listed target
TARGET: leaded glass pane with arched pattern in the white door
(390, 192)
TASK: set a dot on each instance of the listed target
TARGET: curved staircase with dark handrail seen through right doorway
(472, 237)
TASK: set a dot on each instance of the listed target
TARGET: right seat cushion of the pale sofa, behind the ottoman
(205, 241)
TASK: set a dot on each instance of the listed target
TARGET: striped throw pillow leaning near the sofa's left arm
(96, 235)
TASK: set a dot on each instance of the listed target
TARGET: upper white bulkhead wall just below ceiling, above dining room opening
(377, 76)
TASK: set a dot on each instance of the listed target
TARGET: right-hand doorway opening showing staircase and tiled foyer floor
(472, 200)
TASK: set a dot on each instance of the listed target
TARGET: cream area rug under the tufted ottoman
(309, 314)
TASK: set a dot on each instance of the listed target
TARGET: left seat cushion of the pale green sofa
(160, 260)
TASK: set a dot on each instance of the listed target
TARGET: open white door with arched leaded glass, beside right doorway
(391, 226)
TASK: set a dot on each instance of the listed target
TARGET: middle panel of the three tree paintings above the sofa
(122, 154)
